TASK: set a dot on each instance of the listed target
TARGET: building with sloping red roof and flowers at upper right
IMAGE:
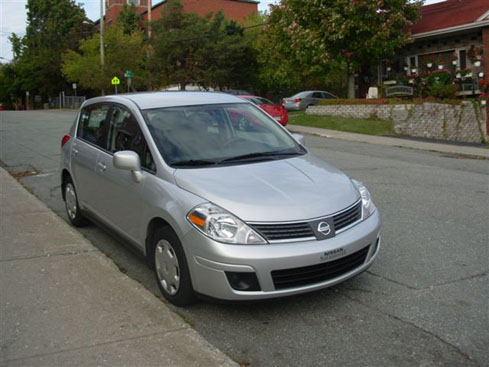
(453, 35)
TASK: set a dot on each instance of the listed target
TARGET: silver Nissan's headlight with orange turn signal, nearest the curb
(222, 226)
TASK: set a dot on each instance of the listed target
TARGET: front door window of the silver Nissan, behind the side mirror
(125, 134)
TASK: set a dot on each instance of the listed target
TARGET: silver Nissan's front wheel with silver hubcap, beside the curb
(171, 268)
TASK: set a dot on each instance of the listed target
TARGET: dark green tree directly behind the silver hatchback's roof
(209, 51)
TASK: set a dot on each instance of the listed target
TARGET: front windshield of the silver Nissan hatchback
(213, 135)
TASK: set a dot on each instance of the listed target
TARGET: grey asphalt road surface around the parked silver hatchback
(425, 302)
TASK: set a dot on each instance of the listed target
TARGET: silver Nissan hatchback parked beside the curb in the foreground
(221, 199)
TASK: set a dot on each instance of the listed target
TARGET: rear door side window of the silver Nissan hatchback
(93, 126)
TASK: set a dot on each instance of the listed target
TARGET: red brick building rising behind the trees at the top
(237, 10)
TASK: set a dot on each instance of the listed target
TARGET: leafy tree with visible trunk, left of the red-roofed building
(352, 33)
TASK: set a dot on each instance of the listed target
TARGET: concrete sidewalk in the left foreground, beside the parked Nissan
(64, 303)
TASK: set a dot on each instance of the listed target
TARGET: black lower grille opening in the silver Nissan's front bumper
(307, 275)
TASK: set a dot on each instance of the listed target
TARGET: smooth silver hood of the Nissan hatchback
(283, 190)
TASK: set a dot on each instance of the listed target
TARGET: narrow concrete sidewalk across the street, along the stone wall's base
(394, 142)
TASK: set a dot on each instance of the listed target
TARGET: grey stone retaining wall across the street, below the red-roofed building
(465, 122)
